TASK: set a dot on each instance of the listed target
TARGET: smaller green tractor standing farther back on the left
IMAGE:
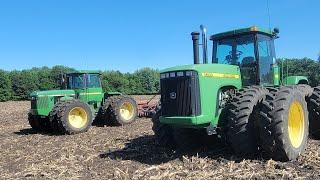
(81, 99)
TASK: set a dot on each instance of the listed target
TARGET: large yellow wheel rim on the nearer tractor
(296, 124)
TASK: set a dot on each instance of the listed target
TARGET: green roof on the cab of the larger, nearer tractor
(253, 29)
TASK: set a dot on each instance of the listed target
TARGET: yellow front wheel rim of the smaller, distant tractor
(78, 117)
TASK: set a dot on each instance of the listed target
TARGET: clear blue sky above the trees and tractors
(127, 35)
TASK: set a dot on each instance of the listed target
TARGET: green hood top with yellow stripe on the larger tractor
(207, 69)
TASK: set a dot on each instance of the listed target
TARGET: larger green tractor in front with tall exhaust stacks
(242, 96)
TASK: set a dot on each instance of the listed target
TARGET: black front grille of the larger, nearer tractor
(180, 96)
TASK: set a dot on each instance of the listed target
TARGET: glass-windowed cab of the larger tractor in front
(252, 49)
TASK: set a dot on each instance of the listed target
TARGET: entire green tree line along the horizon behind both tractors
(17, 85)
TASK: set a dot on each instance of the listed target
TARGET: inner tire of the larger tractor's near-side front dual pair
(242, 118)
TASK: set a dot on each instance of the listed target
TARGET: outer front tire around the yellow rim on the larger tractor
(271, 123)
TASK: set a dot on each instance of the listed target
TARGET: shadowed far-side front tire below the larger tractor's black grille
(163, 132)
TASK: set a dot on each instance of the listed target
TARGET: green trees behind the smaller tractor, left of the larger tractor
(17, 85)
